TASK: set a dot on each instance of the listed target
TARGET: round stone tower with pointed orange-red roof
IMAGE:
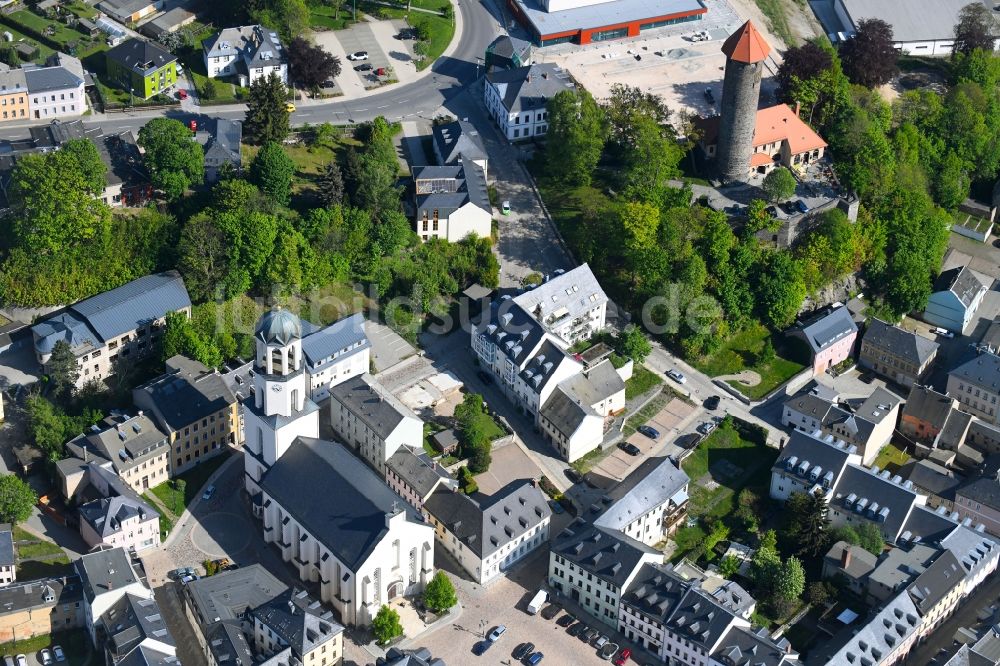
(745, 52)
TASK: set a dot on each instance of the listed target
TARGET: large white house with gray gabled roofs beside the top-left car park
(248, 53)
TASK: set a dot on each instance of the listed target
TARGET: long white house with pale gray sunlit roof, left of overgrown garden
(648, 505)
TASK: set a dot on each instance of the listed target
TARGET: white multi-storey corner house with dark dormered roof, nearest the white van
(593, 566)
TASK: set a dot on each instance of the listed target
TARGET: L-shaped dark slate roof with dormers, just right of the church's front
(485, 528)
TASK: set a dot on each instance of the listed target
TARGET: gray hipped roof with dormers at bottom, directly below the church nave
(300, 622)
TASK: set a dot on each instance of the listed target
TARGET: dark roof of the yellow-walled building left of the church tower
(187, 393)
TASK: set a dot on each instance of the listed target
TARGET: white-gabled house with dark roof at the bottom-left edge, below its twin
(134, 624)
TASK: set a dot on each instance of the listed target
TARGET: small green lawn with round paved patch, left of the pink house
(740, 352)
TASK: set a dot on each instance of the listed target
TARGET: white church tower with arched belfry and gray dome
(279, 409)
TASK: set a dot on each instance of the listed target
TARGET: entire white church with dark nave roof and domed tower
(329, 514)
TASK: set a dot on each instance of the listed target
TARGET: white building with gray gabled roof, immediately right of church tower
(372, 421)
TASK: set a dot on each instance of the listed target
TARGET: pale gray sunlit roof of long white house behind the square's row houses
(654, 482)
